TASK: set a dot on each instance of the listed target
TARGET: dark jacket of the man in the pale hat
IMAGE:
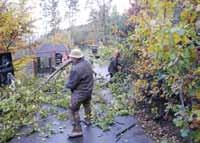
(81, 79)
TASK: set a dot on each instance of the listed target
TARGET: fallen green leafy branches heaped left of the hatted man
(19, 107)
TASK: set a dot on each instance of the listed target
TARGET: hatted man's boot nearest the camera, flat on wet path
(76, 131)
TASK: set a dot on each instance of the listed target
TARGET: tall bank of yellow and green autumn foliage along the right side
(165, 67)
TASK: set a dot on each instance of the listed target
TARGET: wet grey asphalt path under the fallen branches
(59, 129)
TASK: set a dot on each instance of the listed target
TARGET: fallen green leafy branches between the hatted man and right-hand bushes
(105, 111)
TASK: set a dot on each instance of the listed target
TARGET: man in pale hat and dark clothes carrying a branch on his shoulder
(81, 85)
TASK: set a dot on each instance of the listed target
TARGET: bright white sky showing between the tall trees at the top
(82, 15)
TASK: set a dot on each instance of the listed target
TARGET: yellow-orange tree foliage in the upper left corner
(14, 23)
